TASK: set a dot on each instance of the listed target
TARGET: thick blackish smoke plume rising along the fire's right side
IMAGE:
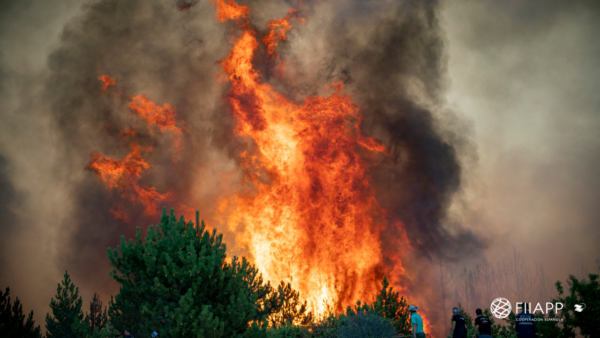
(391, 57)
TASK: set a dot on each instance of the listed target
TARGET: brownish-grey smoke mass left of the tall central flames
(149, 48)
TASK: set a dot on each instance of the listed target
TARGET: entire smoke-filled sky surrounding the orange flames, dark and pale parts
(449, 87)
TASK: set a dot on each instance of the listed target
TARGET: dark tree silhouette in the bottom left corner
(12, 319)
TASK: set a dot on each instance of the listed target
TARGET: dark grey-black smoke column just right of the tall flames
(423, 172)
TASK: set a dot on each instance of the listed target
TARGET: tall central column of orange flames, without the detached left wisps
(309, 209)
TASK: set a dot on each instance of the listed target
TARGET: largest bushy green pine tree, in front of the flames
(178, 282)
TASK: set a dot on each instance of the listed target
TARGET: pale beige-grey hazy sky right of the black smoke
(526, 76)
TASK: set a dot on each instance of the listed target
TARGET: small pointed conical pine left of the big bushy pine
(67, 318)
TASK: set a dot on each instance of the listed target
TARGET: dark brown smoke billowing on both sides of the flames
(389, 54)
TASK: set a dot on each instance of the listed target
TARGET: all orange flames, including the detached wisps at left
(306, 205)
